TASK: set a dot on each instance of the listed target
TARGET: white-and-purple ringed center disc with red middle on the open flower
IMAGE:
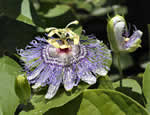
(63, 56)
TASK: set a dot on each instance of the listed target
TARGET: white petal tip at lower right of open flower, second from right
(88, 78)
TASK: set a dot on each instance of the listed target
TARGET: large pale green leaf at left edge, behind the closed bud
(9, 69)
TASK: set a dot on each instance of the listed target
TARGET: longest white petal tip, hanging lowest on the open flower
(52, 90)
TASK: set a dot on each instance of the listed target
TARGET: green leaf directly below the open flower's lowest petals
(41, 105)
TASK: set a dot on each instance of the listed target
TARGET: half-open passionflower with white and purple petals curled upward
(119, 37)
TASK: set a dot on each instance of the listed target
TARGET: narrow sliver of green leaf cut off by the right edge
(146, 88)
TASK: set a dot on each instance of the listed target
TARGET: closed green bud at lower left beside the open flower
(22, 88)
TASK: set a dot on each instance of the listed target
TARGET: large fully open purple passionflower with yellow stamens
(64, 58)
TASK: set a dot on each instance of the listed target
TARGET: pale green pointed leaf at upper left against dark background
(25, 15)
